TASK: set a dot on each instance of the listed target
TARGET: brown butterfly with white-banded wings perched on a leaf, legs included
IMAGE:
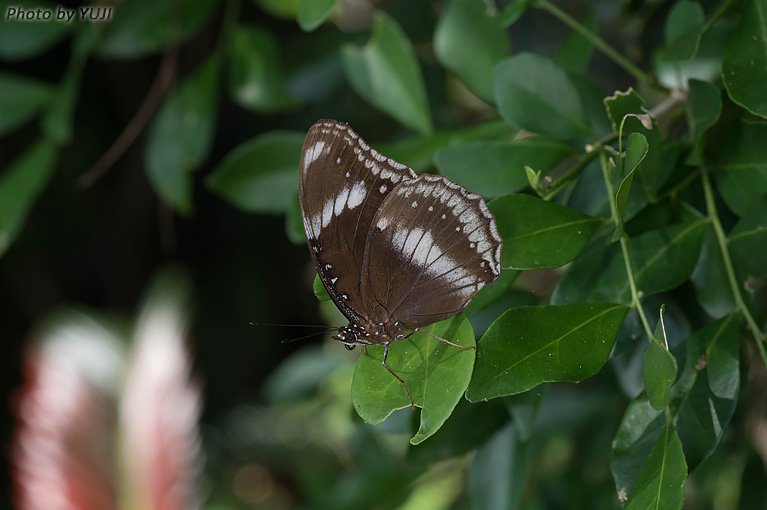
(396, 251)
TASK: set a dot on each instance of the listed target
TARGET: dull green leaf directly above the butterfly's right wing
(497, 167)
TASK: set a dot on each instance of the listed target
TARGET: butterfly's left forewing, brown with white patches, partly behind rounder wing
(342, 183)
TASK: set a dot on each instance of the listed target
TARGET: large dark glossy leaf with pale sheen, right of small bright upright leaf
(704, 397)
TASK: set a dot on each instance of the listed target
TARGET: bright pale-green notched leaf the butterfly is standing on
(436, 374)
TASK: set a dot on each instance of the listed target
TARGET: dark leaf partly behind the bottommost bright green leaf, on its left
(639, 429)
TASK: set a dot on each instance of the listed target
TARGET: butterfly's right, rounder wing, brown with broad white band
(432, 246)
